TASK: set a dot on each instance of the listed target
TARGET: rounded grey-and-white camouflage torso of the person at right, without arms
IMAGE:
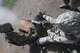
(69, 23)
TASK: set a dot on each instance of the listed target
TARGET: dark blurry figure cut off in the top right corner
(73, 4)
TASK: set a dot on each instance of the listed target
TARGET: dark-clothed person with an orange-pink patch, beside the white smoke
(19, 37)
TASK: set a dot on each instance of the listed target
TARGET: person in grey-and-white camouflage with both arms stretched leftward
(66, 29)
